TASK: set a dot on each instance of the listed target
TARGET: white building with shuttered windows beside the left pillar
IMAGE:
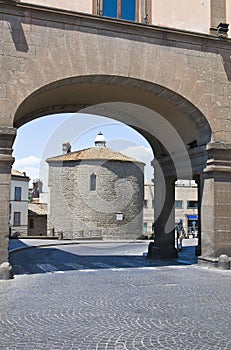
(19, 203)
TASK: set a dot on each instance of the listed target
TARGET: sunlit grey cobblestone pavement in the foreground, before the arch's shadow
(162, 307)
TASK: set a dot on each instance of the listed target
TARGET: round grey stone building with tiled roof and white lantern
(95, 192)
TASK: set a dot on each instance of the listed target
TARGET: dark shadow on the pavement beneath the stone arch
(40, 260)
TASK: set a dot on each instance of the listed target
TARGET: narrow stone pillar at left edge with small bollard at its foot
(7, 136)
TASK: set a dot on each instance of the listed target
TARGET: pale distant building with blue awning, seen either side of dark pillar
(186, 206)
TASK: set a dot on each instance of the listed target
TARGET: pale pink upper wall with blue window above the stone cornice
(196, 16)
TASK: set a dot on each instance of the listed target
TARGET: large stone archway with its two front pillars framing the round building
(56, 61)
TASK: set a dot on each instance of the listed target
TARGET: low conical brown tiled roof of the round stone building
(94, 153)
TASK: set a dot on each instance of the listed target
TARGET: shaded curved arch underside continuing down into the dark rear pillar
(170, 131)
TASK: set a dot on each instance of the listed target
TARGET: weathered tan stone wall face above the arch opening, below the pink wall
(195, 67)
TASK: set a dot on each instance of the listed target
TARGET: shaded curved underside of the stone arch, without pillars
(156, 112)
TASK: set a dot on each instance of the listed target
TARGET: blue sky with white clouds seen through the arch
(43, 138)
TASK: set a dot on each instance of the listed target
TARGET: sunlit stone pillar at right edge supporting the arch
(216, 203)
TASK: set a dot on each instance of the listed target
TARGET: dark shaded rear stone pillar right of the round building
(164, 215)
